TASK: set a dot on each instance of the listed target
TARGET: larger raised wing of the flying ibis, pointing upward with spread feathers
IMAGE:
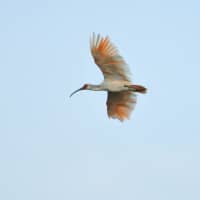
(107, 57)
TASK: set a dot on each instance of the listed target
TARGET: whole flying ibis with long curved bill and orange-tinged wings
(121, 98)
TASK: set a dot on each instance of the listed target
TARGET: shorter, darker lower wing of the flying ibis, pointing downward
(120, 104)
